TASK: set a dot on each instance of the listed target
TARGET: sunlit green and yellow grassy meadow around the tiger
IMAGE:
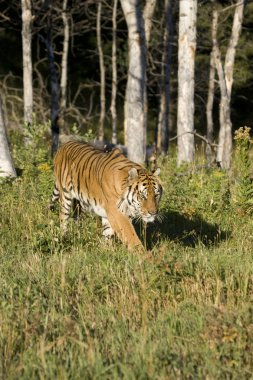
(76, 307)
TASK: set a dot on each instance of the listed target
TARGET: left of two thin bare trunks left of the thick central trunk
(102, 74)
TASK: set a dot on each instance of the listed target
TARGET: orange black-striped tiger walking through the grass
(110, 185)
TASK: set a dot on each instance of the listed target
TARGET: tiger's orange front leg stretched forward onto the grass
(124, 229)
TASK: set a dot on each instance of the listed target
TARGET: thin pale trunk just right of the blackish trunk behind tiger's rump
(64, 65)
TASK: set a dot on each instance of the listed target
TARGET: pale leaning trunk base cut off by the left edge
(6, 166)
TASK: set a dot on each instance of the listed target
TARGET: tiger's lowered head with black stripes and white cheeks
(142, 195)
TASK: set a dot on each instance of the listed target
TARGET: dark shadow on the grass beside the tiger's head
(187, 232)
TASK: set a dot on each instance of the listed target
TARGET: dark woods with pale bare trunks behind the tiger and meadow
(83, 74)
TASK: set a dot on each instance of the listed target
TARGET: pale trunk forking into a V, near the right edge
(225, 75)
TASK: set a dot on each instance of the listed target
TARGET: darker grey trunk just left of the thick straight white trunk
(163, 118)
